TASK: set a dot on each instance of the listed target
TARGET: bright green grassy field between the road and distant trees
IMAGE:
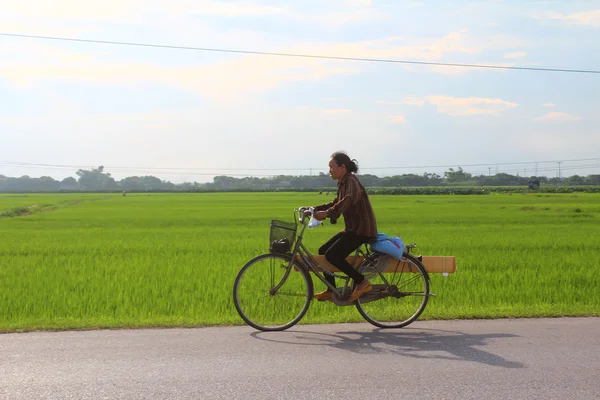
(89, 260)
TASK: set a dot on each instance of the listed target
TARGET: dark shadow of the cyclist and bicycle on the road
(424, 343)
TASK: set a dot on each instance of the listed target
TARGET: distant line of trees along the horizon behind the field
(96, 179)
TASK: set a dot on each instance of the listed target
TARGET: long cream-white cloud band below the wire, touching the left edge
(223, 81)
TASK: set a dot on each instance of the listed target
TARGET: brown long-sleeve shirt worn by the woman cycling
(353, 203)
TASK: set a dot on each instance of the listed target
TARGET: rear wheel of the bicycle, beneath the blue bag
(398, 298)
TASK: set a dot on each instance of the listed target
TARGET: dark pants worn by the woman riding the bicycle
(338, 248)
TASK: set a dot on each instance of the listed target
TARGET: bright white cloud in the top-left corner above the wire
(162, 22)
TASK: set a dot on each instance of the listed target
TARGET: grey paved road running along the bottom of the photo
(497, 359)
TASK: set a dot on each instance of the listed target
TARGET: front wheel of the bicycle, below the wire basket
(270, 296)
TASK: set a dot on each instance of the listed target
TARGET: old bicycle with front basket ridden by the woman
(287, 282)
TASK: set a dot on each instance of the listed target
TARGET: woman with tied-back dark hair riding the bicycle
(353, 203)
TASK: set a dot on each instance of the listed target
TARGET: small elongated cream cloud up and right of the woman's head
(461, 106)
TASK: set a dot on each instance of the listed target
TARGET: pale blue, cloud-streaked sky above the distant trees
(188, 115)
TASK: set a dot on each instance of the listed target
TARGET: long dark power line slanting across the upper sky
(266, 53)
